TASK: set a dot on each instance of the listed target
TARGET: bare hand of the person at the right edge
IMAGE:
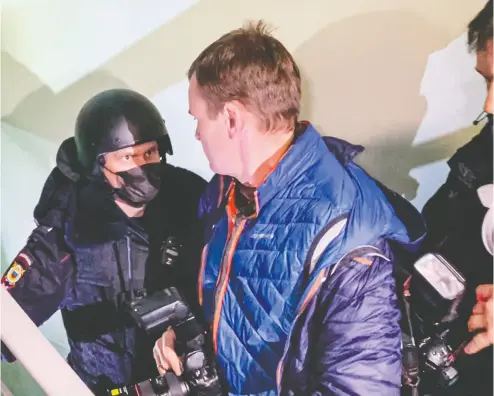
(481, 319)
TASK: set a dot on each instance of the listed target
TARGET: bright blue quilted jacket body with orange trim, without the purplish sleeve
(257, 272)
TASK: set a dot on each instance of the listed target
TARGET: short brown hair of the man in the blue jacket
(251, 66)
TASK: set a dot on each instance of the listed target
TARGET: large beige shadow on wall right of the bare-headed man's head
(363, 85)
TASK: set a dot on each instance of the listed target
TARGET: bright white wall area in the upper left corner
(61, 41)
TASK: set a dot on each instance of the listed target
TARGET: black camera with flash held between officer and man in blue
(154, 313)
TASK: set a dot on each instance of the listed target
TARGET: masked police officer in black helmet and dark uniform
(104, 214)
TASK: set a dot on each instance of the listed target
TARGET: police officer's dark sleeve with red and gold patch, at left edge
(38, 275)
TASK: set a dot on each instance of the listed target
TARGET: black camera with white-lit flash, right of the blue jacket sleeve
(437, 311)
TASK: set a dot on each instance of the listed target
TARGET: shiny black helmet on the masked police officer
(113, 120)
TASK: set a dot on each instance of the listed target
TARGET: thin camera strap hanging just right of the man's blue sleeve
(411, 364)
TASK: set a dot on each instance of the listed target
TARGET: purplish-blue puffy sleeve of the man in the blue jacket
(357, 350)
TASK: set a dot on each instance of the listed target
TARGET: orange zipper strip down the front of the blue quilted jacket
(224, 276)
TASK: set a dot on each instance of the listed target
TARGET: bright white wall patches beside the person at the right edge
(455, 94)
